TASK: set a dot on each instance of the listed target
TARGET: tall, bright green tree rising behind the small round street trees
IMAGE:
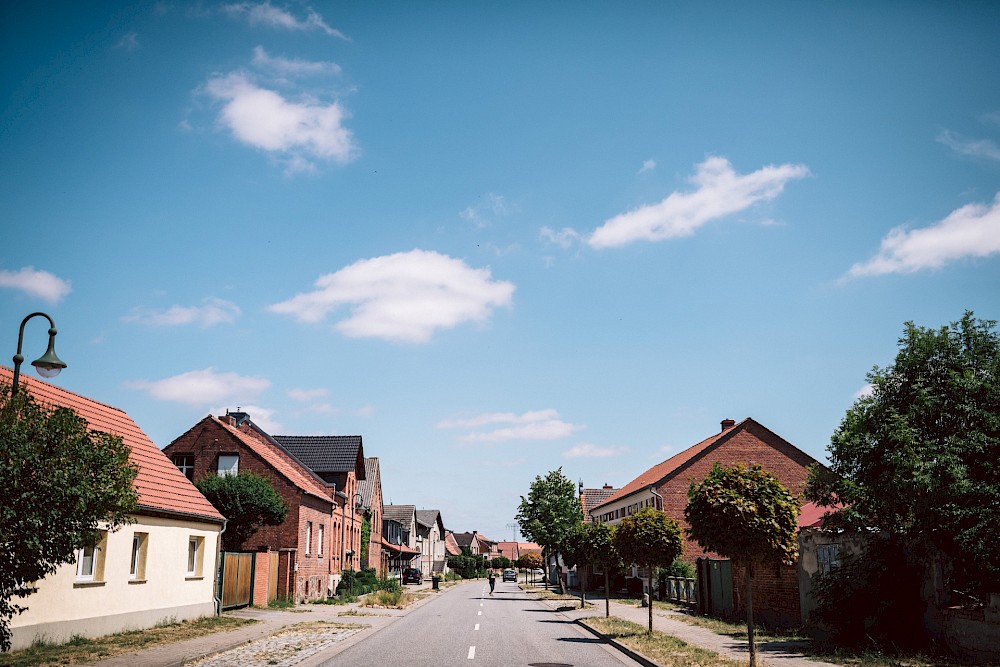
(549, 513)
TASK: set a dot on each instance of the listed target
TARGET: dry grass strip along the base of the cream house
(80, 650)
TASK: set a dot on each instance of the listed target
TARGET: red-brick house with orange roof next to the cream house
(233, 443)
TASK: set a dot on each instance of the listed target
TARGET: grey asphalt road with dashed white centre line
(466, 626)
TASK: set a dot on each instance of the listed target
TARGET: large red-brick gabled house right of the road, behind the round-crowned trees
(665, 487)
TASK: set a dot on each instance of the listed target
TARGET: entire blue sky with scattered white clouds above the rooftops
(495, 239)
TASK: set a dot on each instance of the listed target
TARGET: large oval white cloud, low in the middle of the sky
(404, 297)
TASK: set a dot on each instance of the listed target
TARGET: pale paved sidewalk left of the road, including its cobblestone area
(246, 646)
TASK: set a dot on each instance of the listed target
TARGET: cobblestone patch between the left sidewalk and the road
(284, 649)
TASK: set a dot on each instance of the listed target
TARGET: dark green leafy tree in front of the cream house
(61, 482)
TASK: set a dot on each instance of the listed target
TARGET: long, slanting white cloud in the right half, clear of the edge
(719, 192)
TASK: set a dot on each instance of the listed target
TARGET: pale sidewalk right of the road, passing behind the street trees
(775, 653)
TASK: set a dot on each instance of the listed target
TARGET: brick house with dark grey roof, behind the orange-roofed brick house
(339, 461)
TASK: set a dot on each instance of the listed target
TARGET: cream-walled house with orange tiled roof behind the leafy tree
(158, 569)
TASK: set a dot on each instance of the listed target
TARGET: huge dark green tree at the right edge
(914, 464)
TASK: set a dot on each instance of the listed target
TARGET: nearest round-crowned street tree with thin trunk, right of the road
(747, 515)
